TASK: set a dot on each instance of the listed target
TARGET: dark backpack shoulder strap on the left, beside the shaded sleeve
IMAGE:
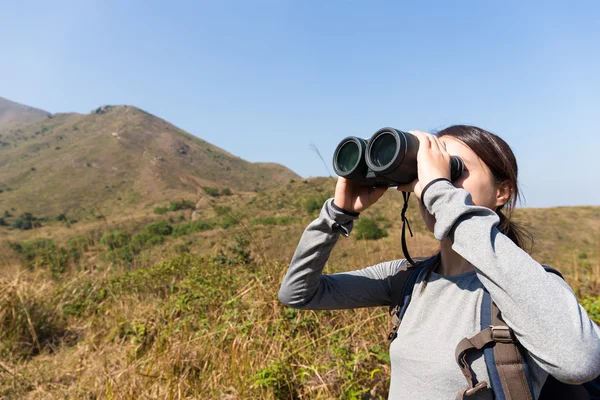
(403, 283)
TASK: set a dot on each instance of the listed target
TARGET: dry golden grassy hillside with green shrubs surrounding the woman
(147, 305)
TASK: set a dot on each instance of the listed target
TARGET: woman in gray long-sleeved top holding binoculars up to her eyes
(480, 249)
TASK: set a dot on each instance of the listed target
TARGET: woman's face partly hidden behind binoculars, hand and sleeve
(476, 179)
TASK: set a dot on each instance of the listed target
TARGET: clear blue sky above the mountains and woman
(264, 79)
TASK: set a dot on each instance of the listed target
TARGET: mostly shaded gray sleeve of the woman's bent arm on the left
(304, 285)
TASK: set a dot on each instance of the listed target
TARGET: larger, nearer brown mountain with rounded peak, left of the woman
(113, 159)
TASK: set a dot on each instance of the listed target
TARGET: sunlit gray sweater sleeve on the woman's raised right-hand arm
(540, 307)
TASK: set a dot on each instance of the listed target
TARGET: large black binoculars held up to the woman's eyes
(388, 158)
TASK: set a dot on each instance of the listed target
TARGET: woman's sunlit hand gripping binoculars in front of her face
(433, 161)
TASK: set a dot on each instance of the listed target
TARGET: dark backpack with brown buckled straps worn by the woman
(507, 369)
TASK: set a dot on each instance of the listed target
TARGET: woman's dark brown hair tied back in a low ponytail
(501, 161)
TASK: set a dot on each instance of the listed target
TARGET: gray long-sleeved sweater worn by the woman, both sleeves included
(540, 307)
